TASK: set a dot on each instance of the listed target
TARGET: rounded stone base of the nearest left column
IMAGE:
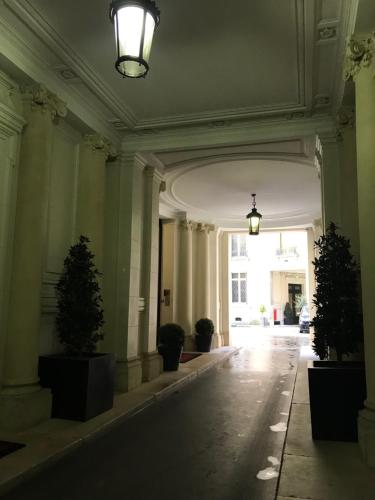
(22, 410)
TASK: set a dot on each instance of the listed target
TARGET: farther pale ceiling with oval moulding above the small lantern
(217, 187)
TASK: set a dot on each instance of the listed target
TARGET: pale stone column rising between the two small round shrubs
(185, 282)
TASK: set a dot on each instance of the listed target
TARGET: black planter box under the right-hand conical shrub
(337, 392)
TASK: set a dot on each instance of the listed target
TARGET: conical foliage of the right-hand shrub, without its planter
(338, 319)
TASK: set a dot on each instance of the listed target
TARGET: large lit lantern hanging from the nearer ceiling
(135, 22)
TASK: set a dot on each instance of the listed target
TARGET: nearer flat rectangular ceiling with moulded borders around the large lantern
(210, 60)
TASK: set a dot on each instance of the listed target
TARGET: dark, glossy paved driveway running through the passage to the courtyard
(208, 441)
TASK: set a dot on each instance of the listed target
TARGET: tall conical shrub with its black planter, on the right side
(337, 387)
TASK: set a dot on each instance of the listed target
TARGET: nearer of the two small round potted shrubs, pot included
(170, 344)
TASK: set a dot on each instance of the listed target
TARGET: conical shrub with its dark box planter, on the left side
(81, 380)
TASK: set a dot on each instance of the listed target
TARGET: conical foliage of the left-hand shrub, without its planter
(80, 314)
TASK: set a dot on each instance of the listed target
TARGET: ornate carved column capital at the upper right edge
(359, 54)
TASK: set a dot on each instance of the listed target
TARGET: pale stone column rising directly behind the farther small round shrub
(202, 282)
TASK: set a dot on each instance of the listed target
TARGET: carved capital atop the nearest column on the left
(38, 97)
